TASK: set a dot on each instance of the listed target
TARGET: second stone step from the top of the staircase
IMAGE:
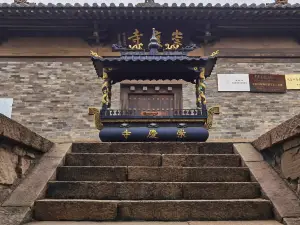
(139, 159)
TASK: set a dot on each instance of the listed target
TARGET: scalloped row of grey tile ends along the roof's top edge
(174, 5)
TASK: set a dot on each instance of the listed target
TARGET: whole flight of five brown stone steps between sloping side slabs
(153, 181)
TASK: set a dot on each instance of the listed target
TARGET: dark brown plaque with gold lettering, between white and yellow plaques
(267, 83)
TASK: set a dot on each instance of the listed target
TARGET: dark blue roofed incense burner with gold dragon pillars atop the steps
(134, 63)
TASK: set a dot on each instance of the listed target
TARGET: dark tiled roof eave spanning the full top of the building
(151, 11)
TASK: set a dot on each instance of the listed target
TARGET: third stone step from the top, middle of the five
(180, 174)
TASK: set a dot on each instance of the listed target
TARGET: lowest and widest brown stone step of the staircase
(165, 210)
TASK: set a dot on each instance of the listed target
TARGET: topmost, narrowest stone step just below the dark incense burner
(161, 148)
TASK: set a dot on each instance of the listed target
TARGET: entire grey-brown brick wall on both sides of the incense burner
(52, 95)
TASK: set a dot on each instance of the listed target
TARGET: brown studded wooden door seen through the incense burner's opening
(161, 103)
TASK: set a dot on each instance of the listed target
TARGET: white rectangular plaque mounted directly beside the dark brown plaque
(233, 82)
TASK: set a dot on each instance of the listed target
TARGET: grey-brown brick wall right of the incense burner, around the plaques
(245, 115)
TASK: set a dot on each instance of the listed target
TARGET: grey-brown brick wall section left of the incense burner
(52, 96)
